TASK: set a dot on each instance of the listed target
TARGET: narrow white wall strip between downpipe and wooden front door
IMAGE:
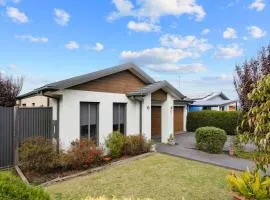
(146, 116)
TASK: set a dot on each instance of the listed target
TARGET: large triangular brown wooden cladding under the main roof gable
(121, 82)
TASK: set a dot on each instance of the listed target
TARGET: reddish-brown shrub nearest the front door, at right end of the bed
(135, 145)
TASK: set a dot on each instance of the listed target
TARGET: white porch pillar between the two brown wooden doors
(167, 119)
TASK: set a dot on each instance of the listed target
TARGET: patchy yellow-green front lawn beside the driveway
(157, 177)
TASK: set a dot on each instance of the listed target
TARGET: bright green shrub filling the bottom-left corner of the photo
(11, 187)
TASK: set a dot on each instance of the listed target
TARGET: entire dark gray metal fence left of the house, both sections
(28, 122)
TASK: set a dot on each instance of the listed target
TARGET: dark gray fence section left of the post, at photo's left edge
(6, 136)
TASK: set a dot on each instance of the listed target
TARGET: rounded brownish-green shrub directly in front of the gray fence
(38, 154)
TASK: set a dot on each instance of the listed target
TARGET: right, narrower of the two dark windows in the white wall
(119, 117)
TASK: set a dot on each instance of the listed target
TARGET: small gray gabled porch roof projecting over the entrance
(156, 86)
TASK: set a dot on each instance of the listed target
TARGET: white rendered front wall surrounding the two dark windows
(70, 114)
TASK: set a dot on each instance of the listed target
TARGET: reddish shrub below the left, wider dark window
(82, 154)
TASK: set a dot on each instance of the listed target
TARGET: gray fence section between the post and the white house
(34, 122)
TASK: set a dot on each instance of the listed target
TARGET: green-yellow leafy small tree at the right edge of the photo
(259, 118)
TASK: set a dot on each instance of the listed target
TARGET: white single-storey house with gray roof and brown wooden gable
(122, 98)
